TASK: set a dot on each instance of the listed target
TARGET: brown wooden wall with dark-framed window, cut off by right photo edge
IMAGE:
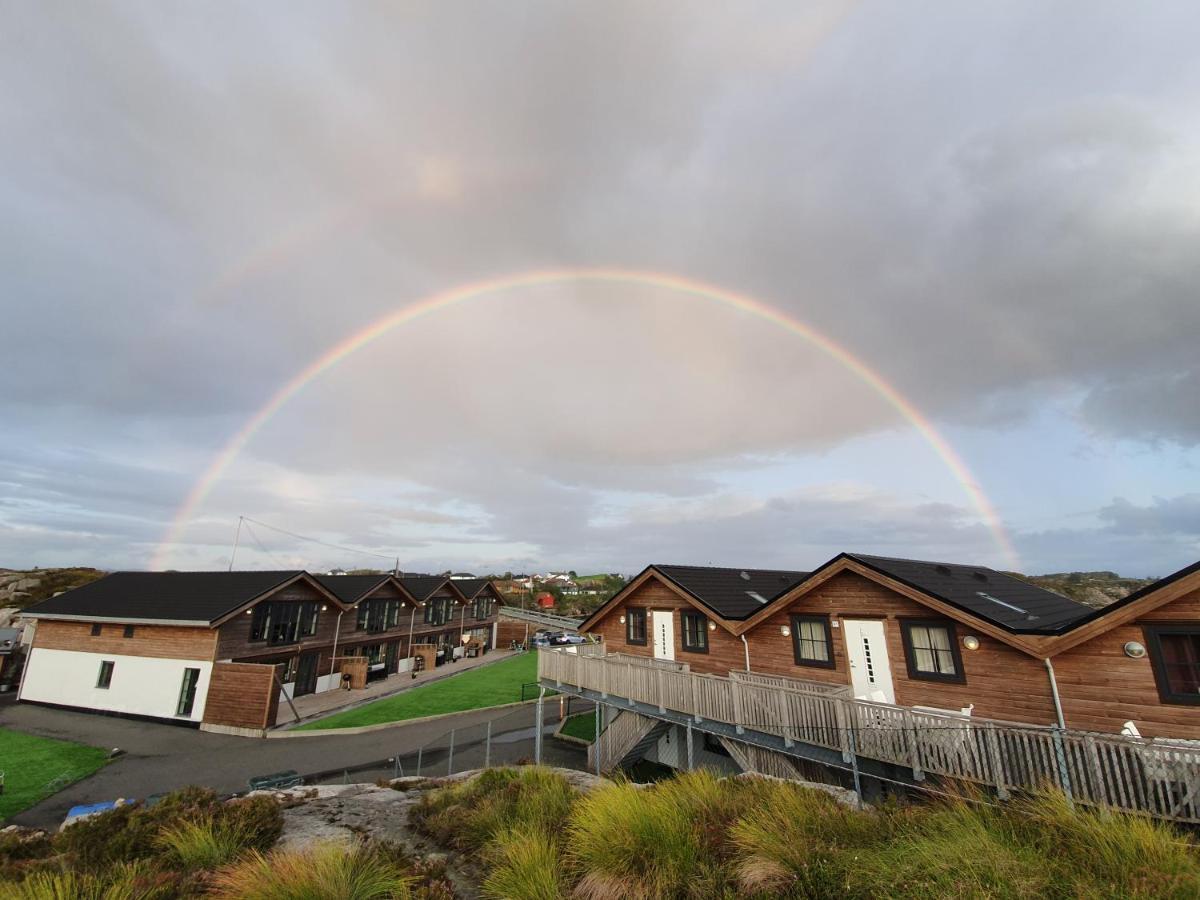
(1102, 688)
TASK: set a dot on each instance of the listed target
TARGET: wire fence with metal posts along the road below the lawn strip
(511, 739)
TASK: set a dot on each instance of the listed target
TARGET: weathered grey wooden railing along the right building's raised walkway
(1161, 778)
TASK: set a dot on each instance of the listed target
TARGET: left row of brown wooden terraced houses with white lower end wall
(223, 649)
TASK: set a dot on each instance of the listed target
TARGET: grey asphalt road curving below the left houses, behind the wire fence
(163, 758)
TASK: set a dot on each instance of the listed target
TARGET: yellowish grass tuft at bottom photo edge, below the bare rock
(329, 871)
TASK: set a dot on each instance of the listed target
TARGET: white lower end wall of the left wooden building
(141, 686)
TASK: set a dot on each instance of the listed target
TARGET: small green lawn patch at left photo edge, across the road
(35, 767)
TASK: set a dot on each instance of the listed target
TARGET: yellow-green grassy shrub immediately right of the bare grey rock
(470, 814)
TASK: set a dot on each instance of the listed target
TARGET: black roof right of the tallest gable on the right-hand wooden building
(1012, 604)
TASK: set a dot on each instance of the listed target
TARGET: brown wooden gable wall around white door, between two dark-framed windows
(1003, 682)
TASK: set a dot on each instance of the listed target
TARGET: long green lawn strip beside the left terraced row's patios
(488, 687)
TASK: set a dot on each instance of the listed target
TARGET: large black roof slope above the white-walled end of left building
(167, 597)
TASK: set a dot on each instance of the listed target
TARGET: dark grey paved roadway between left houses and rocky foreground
(161, 758)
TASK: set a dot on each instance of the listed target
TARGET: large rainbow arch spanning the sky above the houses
(479, 290)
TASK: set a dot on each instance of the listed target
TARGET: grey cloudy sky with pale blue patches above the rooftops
(993, 207)
